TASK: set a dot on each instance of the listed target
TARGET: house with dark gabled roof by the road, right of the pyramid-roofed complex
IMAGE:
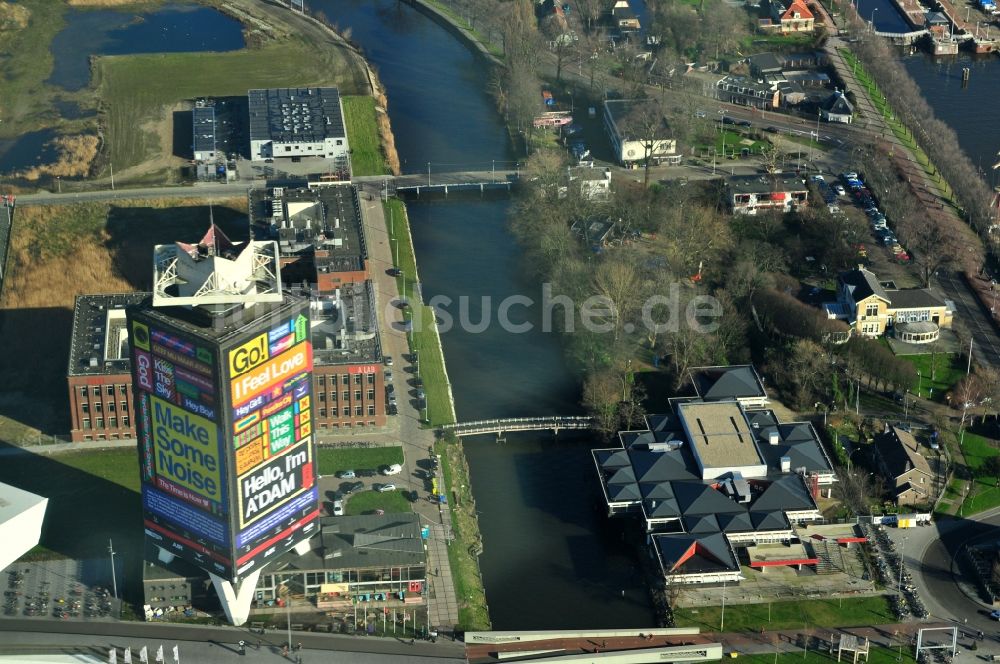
(906, 471)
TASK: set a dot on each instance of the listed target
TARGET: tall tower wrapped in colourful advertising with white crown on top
(222, 372)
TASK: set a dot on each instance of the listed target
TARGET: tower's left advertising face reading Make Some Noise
(182, 446)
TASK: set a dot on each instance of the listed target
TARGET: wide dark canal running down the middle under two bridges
(551, 558)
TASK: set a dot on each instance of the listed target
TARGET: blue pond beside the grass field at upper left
(173, 28)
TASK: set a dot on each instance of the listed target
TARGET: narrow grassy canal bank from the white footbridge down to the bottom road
(473, 612)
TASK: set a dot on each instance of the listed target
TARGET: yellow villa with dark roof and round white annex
(873, 308)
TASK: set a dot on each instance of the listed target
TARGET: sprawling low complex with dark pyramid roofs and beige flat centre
(709, 478)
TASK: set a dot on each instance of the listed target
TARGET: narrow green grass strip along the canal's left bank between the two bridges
(424, 339)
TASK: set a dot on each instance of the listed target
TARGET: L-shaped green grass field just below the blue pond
(139, 90)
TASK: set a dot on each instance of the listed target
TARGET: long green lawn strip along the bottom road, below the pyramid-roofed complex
(813, 612)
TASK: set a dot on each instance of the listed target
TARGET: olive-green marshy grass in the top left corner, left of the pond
(27, 64)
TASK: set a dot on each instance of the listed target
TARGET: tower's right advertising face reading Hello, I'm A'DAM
(270, 385)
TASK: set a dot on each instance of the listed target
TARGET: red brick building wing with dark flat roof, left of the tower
(99, 376)
